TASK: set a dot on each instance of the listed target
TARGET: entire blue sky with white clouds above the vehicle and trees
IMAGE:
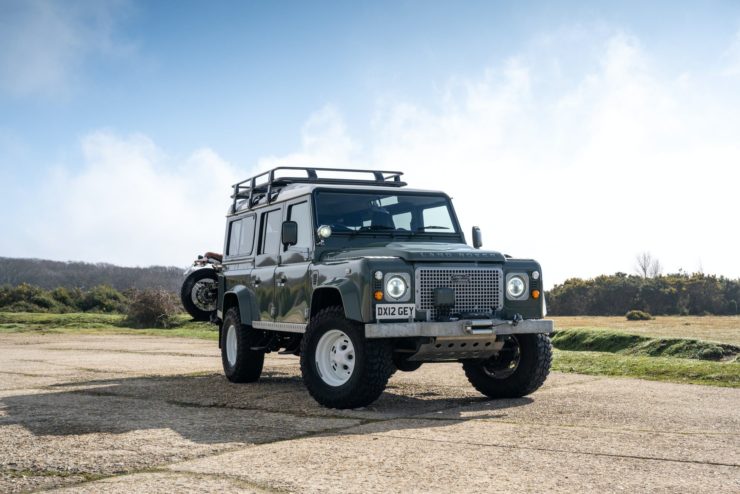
(130, 119)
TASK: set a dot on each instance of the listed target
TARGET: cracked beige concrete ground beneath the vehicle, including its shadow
(142, 414)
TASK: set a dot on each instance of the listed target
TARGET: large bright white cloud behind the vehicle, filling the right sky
(617, 161)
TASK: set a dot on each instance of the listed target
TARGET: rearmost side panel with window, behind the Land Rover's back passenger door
(239, 251)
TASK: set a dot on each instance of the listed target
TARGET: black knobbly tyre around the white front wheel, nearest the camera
(373, 365)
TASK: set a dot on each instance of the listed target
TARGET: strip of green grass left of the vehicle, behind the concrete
(90, 323)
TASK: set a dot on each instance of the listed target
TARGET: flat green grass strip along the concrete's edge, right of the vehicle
(671, 369)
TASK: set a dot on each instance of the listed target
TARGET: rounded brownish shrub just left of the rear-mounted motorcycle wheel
(151, 308)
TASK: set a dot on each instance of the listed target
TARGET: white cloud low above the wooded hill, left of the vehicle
(131, 204)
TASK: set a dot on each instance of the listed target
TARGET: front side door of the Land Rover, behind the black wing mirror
(293, 292)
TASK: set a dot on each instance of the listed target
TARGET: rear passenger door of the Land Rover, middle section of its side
(263, 274)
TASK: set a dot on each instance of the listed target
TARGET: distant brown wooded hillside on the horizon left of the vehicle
(85, 276)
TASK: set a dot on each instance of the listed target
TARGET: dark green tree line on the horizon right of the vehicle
(671, 294)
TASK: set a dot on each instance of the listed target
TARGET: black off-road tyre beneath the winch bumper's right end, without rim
(535, 358)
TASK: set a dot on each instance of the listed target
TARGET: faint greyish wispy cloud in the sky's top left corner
(45, 43)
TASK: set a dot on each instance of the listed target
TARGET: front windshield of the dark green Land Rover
(375, 212)
